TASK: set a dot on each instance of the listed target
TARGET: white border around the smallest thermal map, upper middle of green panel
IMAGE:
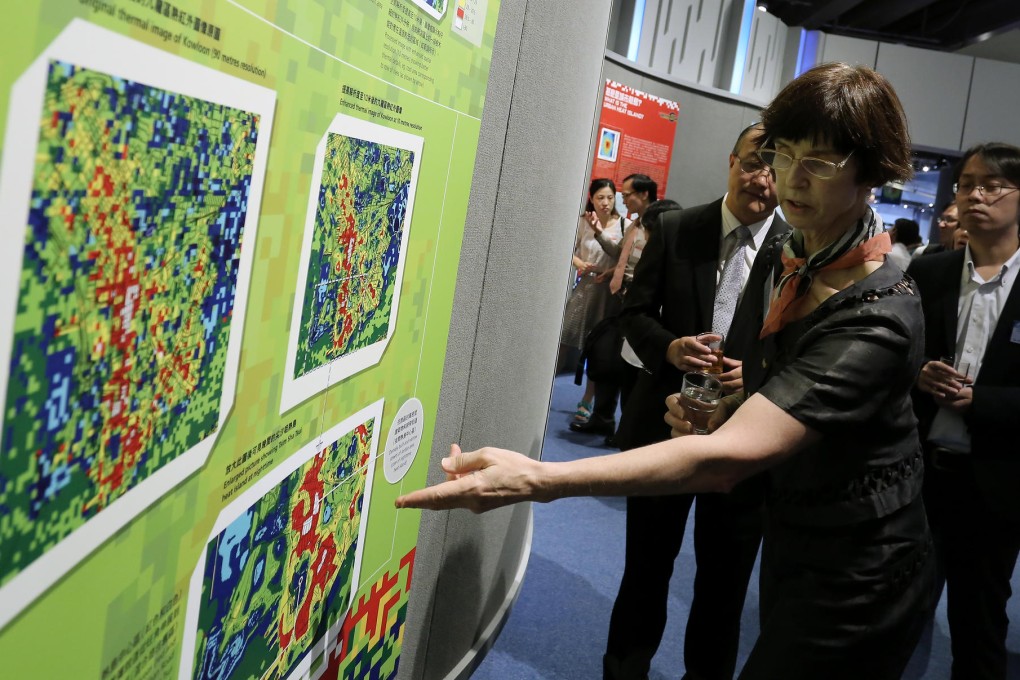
(297, 390)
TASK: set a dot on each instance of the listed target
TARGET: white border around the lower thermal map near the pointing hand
(258, 491)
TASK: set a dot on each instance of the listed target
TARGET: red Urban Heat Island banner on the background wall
(636, 135)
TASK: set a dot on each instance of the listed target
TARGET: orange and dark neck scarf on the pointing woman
(865, 242)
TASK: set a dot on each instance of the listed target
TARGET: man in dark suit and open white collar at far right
(967, 405)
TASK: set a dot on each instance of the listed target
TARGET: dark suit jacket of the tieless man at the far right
(993, 416)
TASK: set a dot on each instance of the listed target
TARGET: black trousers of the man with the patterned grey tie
(728, 535)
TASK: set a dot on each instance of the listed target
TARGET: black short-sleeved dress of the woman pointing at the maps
(848, 573)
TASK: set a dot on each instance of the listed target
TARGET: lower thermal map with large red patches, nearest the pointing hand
(281, 574)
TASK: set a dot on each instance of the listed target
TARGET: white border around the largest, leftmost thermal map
(92, 47)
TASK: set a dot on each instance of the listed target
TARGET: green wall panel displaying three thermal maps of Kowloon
(232, 233)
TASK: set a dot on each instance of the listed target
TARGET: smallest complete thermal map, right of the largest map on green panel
(356, 239)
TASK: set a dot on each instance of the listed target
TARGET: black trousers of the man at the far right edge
(979, 549)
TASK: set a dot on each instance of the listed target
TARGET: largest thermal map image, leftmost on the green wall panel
(139, 198)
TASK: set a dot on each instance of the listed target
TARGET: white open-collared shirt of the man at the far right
(979, 310)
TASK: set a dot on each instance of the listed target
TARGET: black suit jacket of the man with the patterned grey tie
(673, 295)
